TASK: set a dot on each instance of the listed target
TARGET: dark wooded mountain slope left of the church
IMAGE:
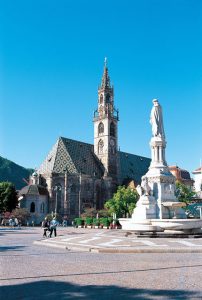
(9, 171)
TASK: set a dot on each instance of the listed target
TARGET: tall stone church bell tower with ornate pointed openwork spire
(106, 118)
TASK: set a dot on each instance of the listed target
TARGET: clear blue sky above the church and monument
(51, 62)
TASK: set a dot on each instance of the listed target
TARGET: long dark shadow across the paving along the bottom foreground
(51, 290)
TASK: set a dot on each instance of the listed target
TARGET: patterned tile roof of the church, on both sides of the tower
(76, 157)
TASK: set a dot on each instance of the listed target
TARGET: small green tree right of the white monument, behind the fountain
(184, 193)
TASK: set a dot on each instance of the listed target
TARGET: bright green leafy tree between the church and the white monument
(123, 202)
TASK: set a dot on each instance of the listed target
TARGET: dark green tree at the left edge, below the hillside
(8, 197)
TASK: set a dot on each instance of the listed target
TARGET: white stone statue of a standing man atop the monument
(156, 120)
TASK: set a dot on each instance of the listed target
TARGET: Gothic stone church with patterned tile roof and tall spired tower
(79, 175)
